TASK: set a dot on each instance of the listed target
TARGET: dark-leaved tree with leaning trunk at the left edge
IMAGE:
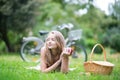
(16, 16)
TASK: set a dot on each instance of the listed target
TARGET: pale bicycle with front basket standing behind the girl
(30, 49)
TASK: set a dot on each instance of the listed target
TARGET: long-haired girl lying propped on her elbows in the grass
(54, 55)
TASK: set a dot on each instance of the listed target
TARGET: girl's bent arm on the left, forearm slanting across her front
(44, 65)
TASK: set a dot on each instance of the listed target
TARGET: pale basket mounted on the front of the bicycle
(75, 34)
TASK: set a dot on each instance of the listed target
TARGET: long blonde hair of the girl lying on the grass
(60, 41)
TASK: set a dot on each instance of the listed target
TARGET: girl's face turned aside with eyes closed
(51, 42)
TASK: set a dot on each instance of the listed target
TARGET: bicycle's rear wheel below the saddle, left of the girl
(30, 51)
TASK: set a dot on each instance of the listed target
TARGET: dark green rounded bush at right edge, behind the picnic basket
(112, 38)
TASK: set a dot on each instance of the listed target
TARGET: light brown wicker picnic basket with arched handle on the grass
(98, 67)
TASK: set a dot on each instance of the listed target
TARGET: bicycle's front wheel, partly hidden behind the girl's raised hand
(80, 52)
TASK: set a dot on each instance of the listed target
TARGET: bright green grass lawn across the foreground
(13, 68)
